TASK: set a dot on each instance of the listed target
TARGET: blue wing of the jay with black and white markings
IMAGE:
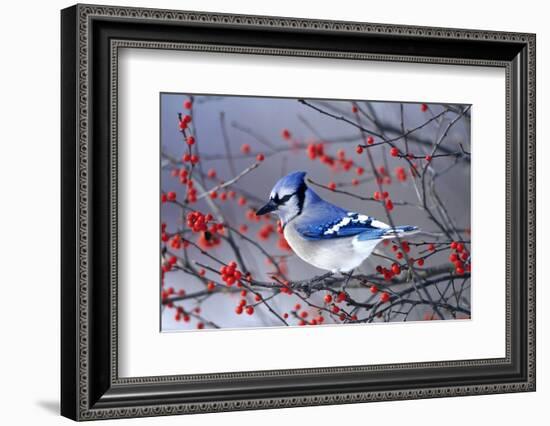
(339, 224)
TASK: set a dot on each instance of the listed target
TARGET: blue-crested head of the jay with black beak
(287, 197)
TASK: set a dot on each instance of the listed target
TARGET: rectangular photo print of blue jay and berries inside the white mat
(280, 212)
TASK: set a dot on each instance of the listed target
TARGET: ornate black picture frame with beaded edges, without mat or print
(91, 388)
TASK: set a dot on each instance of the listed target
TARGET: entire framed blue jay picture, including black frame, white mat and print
(263, 212)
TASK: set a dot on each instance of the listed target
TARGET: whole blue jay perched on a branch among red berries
(322, 234)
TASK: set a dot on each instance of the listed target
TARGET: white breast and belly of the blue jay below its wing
(336, 254)
